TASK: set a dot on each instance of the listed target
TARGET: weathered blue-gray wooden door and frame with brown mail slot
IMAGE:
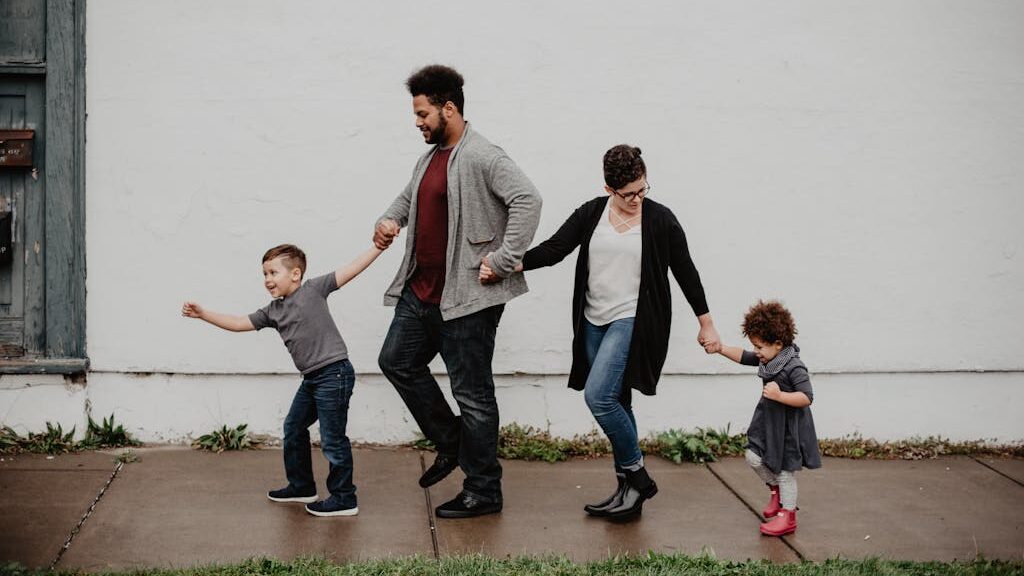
(42, 200)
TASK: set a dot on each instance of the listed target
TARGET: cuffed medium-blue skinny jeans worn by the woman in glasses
(608, 350)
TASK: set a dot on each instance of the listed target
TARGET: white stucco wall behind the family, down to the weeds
(861, 161)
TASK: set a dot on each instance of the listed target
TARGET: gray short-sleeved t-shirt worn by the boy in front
(305, 322)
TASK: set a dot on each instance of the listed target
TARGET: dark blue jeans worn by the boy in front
(324, 395)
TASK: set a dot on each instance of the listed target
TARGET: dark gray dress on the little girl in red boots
(782, 435)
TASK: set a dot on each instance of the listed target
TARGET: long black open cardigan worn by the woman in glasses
(664, 248)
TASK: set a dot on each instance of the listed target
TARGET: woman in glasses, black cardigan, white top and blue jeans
(622, 310)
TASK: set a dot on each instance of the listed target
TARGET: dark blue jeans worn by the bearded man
(467, 347)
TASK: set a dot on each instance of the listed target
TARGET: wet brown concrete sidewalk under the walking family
(178, 508)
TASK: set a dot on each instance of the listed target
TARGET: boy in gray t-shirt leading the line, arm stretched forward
(301, 315)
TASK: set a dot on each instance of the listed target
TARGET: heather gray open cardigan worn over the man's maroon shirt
(493, 208)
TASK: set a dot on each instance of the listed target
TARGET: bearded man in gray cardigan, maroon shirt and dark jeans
(466, 201)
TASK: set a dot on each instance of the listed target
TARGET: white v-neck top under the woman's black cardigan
(615, 273)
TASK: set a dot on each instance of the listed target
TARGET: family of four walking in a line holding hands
(471, 216)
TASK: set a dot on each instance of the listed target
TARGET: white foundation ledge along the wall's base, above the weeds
(173, 408)
